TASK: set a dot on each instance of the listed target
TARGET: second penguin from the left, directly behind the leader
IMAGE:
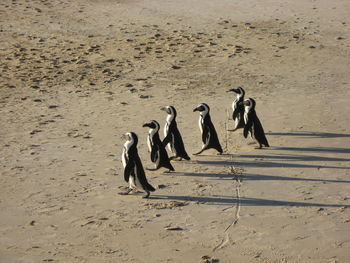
(159, 155)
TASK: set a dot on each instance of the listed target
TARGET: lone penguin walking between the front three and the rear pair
(209, 136)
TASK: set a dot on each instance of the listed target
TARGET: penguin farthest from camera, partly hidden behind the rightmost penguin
(238, 108)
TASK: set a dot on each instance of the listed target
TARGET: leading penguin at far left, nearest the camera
(133, 169)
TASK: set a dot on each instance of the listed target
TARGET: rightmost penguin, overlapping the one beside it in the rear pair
(253, 124)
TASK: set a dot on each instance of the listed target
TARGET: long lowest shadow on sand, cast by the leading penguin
(245, 201)
